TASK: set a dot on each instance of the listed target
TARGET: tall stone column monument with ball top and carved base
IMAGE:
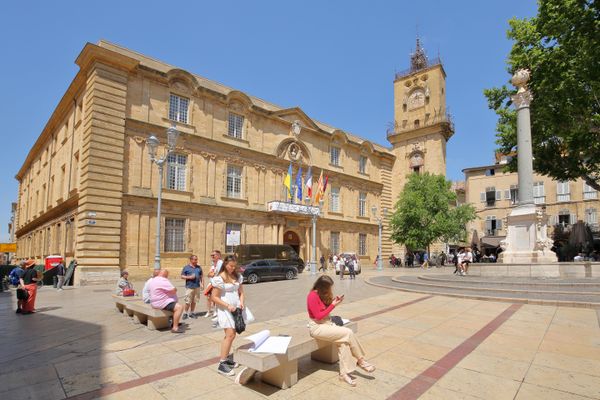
(527, 239)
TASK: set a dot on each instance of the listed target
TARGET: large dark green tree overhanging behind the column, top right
(561, 48)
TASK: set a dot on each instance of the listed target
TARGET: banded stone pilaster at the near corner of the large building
(101, 187)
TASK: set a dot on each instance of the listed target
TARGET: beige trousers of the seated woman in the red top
(349, 348)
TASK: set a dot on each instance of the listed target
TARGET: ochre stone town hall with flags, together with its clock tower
(88, 189)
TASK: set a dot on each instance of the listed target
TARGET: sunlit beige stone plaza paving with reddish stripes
(425, 346)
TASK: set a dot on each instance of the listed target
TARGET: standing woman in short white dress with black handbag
(228, 295)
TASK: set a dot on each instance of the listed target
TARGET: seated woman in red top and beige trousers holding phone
(320, 302)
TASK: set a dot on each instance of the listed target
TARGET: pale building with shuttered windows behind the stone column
(493, 192)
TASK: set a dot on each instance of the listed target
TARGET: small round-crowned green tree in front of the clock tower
(426, 211)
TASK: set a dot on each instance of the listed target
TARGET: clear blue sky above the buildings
(334, 59)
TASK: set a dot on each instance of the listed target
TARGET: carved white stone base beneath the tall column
(527, 240)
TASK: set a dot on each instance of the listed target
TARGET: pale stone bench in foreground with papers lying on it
(281, 370)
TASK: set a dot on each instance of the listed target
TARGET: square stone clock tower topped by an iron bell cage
(422, 125)
